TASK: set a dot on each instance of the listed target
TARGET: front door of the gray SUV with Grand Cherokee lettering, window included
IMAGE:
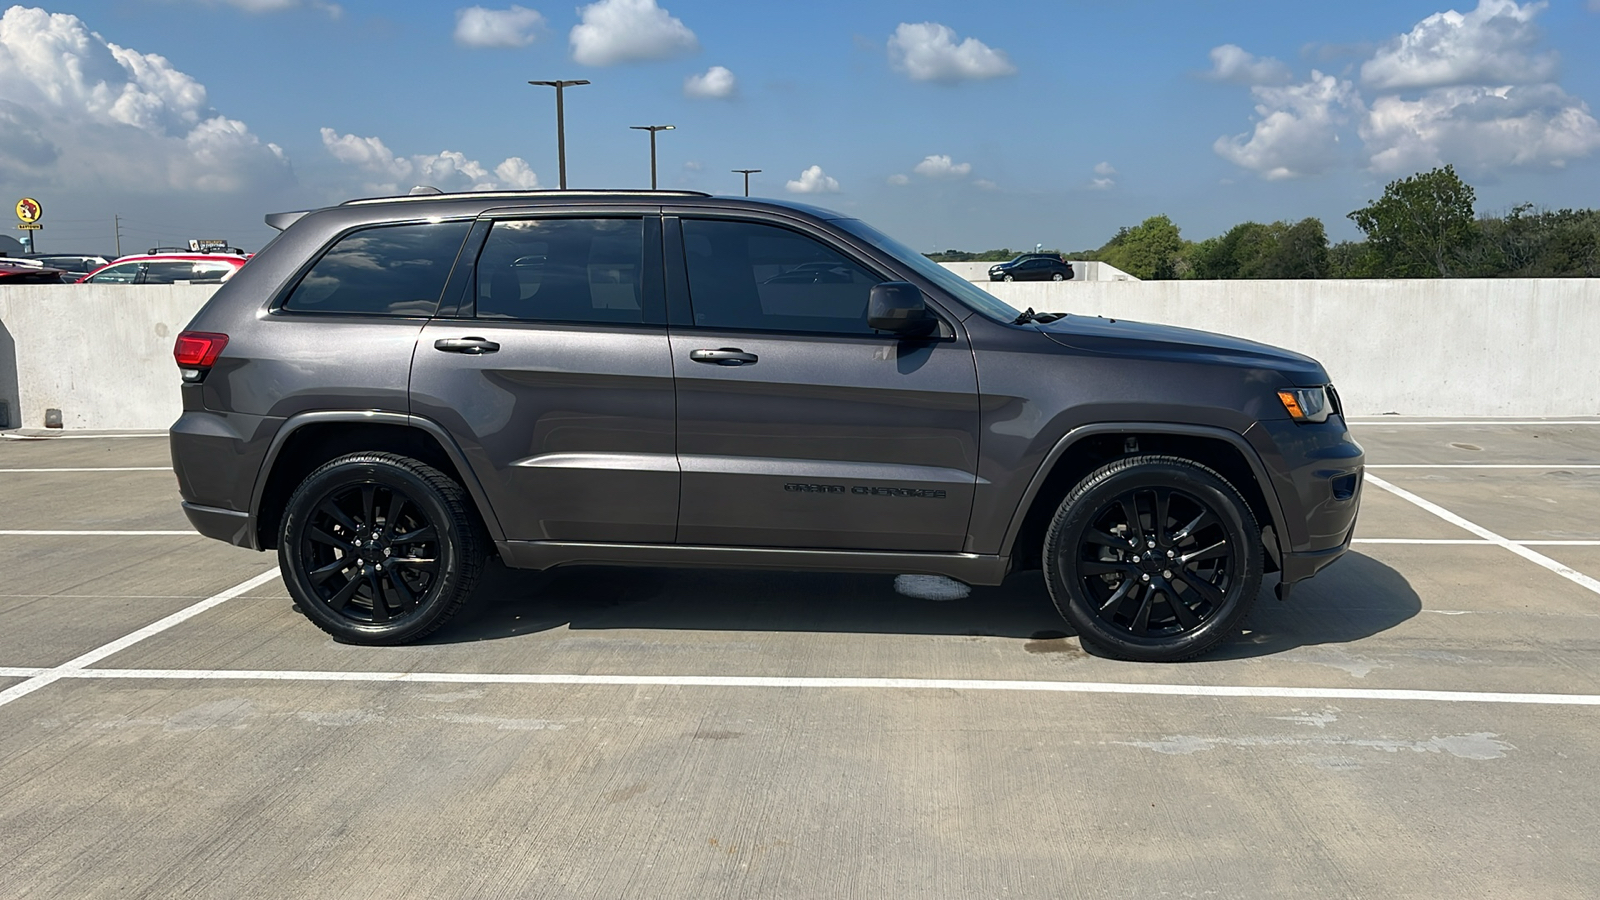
(799, 427)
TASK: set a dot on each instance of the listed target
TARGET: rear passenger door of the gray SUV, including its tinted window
(556, 377)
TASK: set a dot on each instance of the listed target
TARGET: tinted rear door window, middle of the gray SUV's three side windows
(564, 271)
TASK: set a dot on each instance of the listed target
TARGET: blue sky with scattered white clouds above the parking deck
(946, 124)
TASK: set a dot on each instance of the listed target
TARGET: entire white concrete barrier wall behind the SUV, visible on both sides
(103, 355)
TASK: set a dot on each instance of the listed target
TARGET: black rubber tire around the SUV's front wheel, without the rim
(1076, 516)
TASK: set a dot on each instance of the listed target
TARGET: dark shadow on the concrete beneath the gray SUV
(1353, 600)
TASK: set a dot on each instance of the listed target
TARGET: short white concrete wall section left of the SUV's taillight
(102, 355)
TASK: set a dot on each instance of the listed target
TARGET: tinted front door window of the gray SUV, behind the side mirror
(753, 276)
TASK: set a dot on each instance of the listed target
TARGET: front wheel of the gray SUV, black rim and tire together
(1154, 560)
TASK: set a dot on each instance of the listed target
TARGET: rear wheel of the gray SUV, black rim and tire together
(380, 548)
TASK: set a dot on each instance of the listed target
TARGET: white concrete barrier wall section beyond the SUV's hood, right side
(1418, 348)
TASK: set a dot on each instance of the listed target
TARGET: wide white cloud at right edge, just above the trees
(1479, 129)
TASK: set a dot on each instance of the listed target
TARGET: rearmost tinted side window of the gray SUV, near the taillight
(383, 271)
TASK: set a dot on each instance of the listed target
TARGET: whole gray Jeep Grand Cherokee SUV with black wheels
(394, 390)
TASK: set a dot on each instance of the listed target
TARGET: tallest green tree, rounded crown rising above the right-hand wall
(1423, 227)
